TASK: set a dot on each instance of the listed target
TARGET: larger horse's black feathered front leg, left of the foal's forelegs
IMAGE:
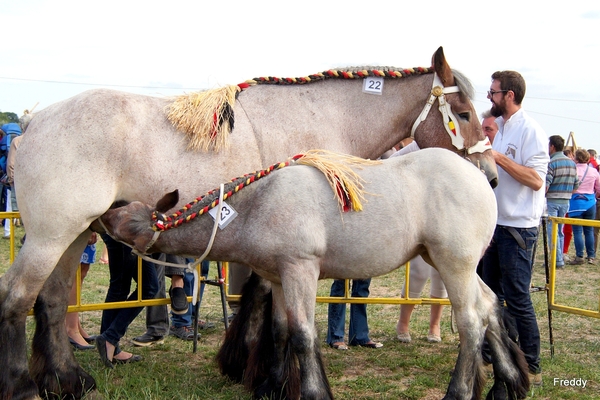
(245, 331)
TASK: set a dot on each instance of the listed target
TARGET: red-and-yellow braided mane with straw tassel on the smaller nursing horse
(337, 168)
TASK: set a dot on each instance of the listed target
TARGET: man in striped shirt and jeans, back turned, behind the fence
(561, 181)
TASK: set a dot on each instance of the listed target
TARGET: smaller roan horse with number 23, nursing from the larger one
(290, 231)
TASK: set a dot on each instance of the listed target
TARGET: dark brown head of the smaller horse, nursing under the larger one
(132, 224)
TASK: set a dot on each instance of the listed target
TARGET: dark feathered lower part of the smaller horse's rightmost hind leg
(511, 379)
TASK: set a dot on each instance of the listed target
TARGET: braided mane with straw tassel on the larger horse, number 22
(207, 117)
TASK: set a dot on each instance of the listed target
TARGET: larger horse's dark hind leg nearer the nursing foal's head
(53, 365)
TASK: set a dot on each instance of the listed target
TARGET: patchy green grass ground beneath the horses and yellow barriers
(418, 370)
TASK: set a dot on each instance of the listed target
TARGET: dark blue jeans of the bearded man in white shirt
(507, 269)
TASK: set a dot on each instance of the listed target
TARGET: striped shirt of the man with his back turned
(561, 179)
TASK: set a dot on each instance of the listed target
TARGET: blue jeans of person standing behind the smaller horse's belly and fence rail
(358, 332)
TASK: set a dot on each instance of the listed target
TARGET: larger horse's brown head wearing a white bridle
(453, 122)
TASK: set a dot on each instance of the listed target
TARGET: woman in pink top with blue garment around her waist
(583, 205)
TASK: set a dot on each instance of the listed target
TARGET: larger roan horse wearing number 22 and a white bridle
(80, 156)
